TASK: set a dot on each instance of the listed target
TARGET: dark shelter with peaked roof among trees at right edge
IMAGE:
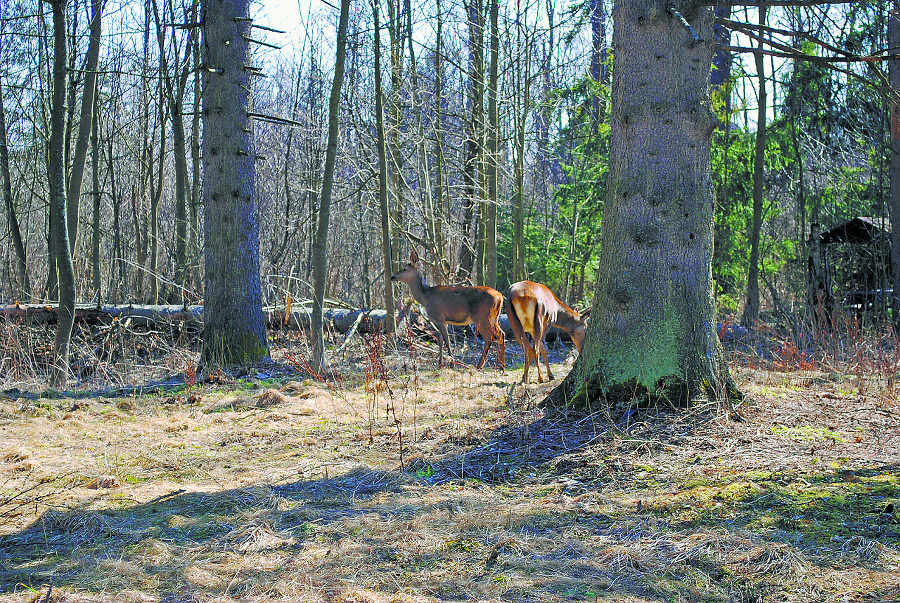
(850, 268)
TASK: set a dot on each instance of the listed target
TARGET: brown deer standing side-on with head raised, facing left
(445, 305)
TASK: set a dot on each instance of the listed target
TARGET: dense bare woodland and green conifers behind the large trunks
(824, 154)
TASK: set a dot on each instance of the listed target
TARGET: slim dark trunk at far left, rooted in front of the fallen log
(57, 179)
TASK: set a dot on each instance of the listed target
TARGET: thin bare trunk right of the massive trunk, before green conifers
(751, 309)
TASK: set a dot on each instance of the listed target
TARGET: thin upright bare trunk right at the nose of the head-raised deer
(382, 181)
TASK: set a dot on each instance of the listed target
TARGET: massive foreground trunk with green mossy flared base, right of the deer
(652, 334)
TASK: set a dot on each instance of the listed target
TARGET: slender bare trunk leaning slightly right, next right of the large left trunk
(320, 244)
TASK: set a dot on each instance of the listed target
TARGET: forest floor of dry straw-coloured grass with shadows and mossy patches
(392, 481)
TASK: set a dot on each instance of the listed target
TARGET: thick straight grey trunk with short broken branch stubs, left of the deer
(234, 331)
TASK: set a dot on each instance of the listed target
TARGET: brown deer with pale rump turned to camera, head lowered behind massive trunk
(532, 308)
